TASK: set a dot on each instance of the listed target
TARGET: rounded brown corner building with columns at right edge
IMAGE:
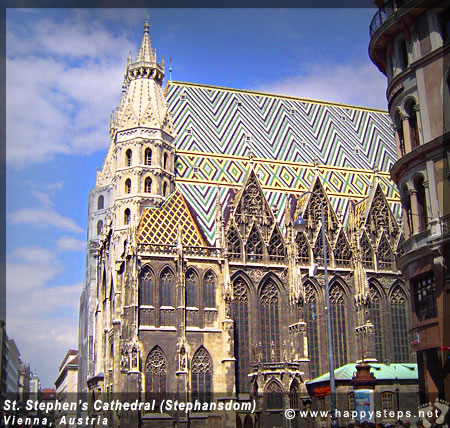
(410, 45)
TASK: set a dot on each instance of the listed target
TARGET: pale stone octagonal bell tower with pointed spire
(140, 162)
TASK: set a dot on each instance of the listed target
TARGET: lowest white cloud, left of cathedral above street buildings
(41, 319)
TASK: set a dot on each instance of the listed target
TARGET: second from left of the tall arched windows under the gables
(270, 321)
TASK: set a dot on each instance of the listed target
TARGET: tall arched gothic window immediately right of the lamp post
(338, 324)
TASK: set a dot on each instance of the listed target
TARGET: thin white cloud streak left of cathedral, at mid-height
(43, 218)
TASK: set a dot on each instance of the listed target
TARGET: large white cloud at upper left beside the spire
(62, 79)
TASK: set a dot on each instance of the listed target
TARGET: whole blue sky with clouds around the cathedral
(64, 74)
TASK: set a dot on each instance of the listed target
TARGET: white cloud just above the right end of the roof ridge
(358, 84)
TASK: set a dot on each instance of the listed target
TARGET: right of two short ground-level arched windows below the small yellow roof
(201, 376)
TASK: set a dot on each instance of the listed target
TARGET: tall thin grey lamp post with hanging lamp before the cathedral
(299, 226)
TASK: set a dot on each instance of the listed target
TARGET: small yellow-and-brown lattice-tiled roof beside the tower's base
(160, 225)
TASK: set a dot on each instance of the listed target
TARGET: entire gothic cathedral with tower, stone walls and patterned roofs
(197, 282)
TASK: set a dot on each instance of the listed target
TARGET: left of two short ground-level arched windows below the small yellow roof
(155, 375)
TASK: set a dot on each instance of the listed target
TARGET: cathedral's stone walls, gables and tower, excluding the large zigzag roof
(167, 311)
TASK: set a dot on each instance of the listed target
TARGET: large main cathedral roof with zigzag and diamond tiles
(220, 130)
